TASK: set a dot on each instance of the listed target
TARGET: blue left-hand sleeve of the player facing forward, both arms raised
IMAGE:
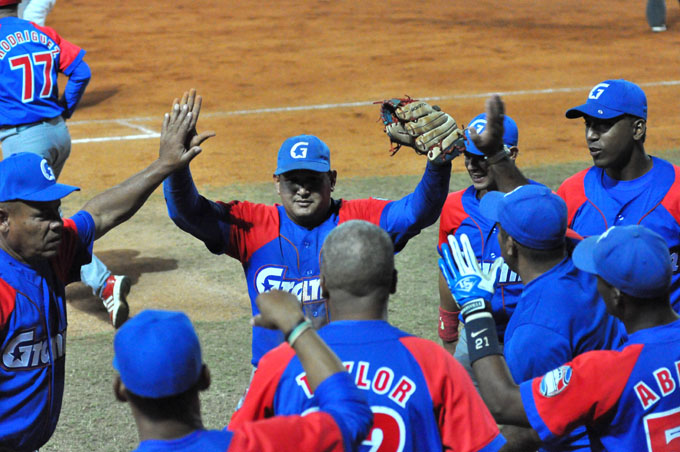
(193, 213)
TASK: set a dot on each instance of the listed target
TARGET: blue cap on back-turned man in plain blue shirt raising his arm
(531, 214)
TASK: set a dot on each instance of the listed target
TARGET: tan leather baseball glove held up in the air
(426, 129)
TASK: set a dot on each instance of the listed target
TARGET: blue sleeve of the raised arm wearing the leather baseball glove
(407, 216)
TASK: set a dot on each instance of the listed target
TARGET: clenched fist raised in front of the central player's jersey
(278, 310)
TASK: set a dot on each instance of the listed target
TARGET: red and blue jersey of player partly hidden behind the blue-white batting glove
(461, 215)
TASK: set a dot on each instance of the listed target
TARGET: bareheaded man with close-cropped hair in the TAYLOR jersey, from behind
(422, 398)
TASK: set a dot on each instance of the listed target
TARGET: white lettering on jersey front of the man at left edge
(25, 351)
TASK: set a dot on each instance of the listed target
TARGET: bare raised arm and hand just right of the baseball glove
(506, 174)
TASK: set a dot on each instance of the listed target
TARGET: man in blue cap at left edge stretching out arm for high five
(39, 254)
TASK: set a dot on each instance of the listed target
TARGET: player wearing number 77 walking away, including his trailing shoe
(32, 117)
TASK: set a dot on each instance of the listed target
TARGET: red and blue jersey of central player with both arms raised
(277, 253)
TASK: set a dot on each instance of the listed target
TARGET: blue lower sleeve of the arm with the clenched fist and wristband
(338, 396)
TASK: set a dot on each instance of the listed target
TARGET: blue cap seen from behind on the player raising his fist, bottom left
(157, 354)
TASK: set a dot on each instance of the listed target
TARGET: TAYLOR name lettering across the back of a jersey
(382, 381)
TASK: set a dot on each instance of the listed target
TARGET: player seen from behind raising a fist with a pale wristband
(160, 374)
